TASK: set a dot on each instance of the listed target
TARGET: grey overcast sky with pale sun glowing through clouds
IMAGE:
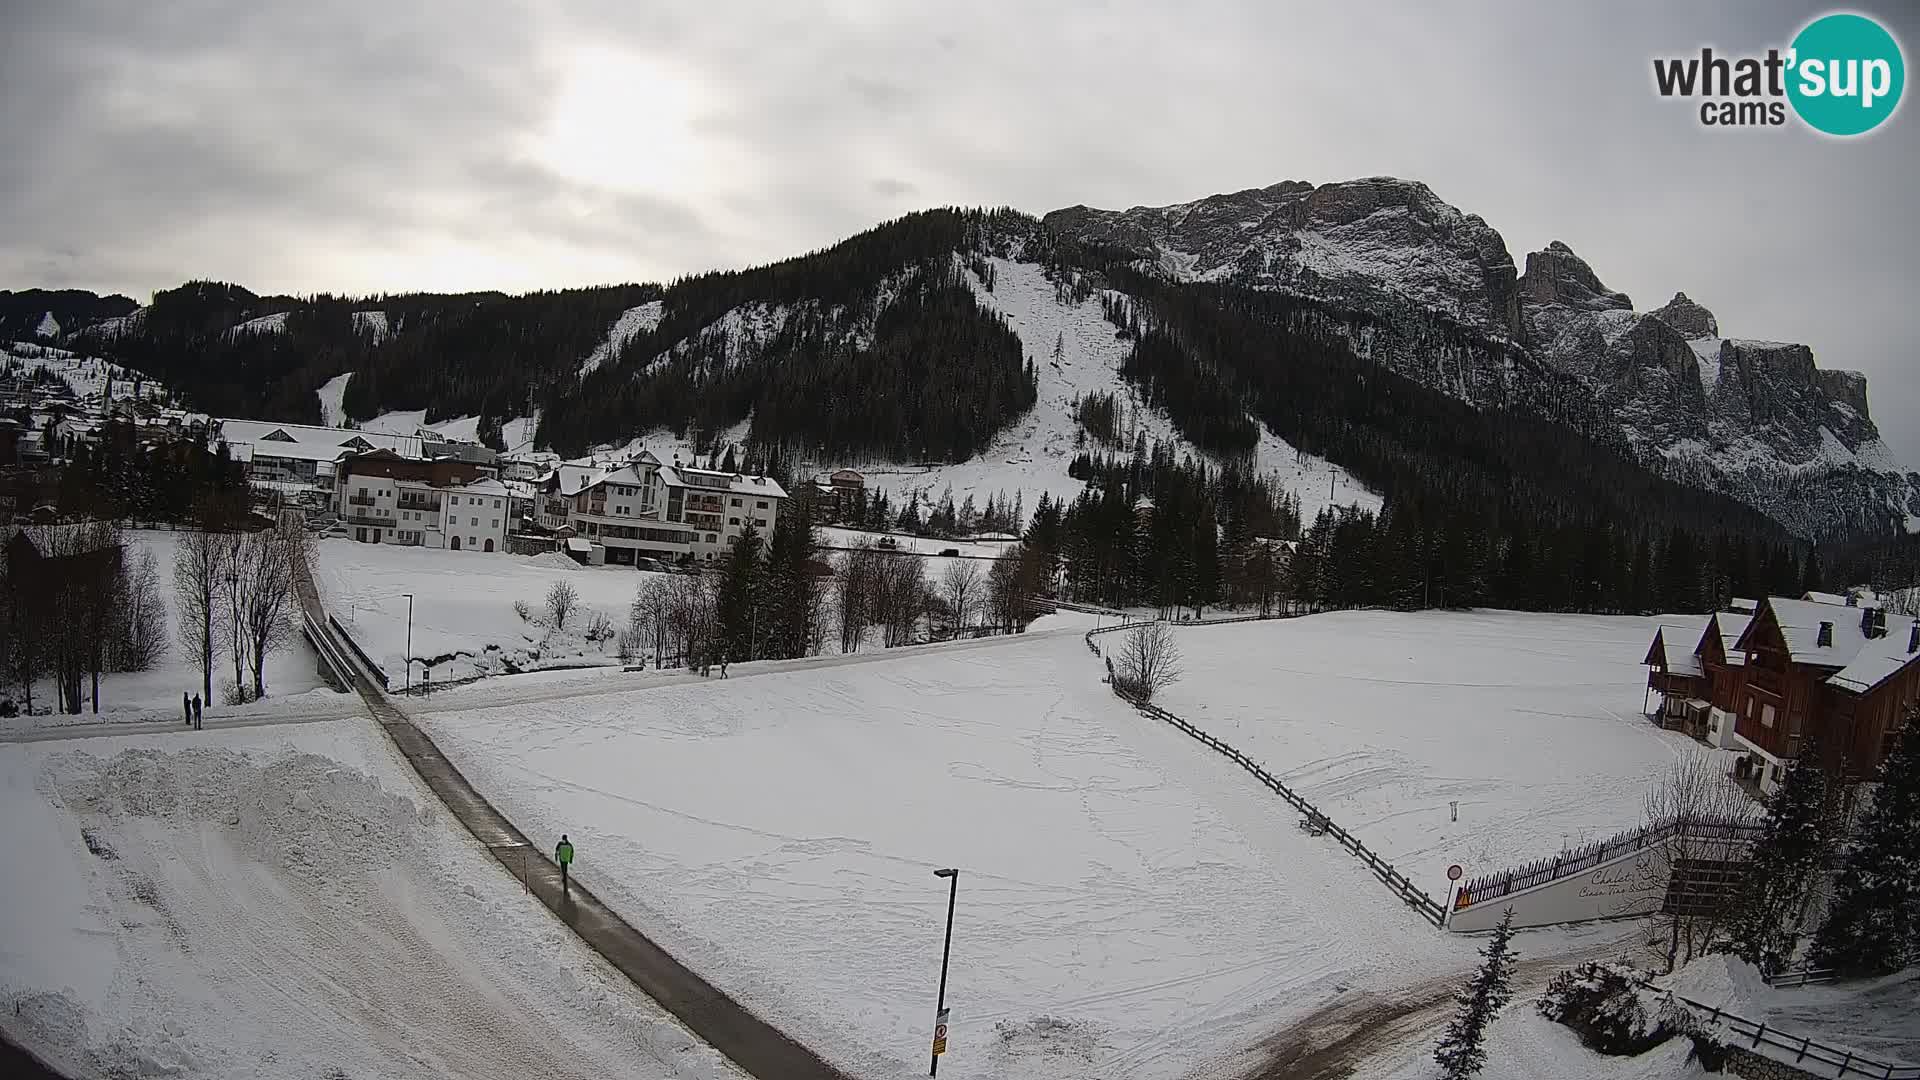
(364, 147)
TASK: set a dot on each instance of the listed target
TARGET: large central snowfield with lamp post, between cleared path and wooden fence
(1128, 908)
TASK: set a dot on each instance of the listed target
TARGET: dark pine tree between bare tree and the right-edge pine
(1787, 866)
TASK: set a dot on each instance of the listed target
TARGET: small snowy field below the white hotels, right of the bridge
(464, 618)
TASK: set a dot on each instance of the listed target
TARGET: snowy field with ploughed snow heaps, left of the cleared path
(289, 904)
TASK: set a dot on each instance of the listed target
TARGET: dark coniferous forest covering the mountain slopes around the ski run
(876, 349)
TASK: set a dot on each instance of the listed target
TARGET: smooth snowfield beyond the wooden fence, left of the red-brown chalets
(1531, 724)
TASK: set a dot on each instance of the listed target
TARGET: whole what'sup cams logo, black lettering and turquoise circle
(1842, 76)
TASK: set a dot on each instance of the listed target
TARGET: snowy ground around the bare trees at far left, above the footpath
(156, 695)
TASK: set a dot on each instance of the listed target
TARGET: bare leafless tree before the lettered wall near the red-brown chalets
(1698, 800)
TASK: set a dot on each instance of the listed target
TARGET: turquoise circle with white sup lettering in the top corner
(1848, 74)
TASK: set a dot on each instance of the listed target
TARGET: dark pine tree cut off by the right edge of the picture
(1873, 927)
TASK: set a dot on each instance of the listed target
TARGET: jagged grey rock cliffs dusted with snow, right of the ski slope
(1748, 418)
